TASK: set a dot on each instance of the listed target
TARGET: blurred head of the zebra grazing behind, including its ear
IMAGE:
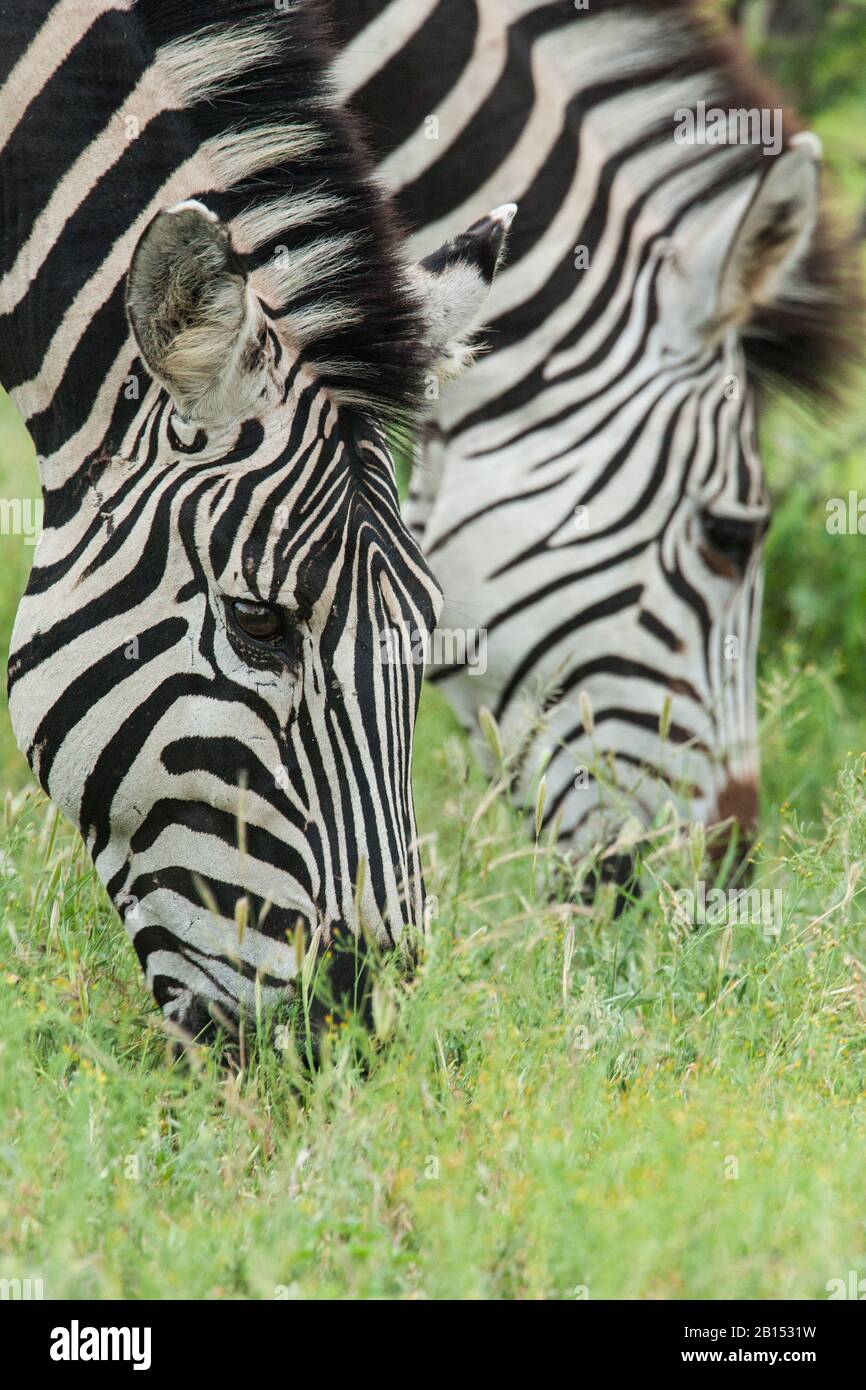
(597, 508)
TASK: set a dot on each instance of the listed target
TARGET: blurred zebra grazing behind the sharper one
(590, 494)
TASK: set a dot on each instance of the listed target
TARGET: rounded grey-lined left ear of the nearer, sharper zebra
(195, 319)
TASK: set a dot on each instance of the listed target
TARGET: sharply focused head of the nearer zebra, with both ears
(209, 687)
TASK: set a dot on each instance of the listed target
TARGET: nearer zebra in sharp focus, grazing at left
(206, 325)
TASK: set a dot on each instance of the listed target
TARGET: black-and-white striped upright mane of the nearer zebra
(294, 183)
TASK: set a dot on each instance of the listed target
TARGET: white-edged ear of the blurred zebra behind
(740, 256)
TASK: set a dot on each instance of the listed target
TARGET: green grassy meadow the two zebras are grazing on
(561, 1104)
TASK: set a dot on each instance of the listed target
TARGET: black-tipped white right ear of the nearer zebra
(454, 286)
